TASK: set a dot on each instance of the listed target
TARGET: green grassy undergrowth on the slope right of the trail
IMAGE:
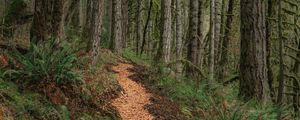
(220, 103)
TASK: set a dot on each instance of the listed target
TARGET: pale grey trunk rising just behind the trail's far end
(116, 31)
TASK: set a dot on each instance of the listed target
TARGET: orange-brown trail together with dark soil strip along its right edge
(137, 102)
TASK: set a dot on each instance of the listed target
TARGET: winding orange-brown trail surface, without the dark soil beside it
(131, 103)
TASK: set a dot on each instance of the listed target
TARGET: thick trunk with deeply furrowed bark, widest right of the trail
(253, 62)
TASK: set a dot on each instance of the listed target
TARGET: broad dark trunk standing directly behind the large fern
(47, 20)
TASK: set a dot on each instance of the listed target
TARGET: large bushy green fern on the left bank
(45, 62)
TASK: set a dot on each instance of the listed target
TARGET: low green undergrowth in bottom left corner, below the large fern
(28, 105)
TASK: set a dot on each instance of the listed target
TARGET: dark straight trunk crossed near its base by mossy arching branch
(193, 37)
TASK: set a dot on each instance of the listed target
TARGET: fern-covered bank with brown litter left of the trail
(54, 83)
